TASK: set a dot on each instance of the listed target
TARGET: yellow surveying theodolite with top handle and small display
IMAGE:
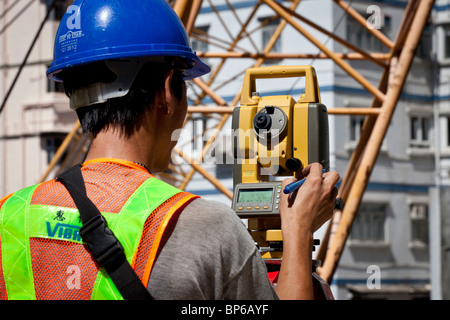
(274, 136)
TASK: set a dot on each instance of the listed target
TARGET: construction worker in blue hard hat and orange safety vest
(124, 65)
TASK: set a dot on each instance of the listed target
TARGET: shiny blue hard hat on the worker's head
(101, 30)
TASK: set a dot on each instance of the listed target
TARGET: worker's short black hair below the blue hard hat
(124, 113)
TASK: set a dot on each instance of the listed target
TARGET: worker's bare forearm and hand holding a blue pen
(302, 213)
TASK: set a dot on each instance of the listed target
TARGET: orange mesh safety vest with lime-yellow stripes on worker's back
(42, 255)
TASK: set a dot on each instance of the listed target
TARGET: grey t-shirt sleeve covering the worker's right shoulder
(209, 255)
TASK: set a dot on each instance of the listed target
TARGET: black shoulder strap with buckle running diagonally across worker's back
(104, 246)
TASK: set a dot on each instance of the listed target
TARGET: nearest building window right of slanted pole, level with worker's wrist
(369, 223)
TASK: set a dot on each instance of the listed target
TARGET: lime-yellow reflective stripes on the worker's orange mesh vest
(20, 222)
